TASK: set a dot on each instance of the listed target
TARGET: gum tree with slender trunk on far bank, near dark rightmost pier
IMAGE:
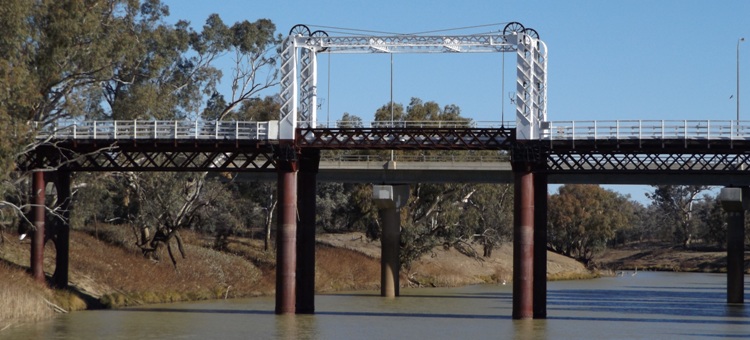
(674, 204)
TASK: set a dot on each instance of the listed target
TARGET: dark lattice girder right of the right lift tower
(647, 162)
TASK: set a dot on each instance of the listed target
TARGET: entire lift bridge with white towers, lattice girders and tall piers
(532, 152)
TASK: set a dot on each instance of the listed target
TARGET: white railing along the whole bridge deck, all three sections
(268, 130)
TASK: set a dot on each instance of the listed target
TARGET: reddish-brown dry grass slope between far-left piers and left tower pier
(125, 277)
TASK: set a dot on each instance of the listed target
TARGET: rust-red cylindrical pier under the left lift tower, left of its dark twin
(286, 236)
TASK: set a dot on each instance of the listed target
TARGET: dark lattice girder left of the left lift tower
(145, 159)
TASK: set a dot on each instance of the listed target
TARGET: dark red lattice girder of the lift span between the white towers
(405, 138)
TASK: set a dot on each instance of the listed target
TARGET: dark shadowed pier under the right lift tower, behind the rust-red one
(540, 246)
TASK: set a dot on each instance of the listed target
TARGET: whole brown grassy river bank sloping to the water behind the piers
(108, 271)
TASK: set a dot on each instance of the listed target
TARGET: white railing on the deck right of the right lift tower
(646, 130)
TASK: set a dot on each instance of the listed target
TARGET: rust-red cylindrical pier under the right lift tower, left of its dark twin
(523, 243)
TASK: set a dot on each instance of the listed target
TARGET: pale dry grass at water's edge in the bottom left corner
(21, 299)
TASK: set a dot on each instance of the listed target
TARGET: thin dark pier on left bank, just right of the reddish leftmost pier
(61, 231)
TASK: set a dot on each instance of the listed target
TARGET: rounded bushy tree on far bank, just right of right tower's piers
(583, 218)
